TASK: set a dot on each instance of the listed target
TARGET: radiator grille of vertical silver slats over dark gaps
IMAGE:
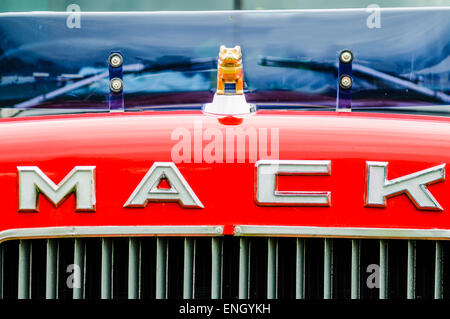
(224, 267)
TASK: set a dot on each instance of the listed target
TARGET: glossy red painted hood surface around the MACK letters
(123, 146)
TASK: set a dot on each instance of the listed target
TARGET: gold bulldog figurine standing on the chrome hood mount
(229, 69)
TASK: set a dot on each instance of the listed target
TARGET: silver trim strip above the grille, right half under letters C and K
(347, 232)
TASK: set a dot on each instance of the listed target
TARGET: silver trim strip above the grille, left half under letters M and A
(109, 231)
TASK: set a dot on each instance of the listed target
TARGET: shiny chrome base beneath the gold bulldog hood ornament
(229, 104)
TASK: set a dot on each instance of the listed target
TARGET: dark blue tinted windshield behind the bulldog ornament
(169, 58)
